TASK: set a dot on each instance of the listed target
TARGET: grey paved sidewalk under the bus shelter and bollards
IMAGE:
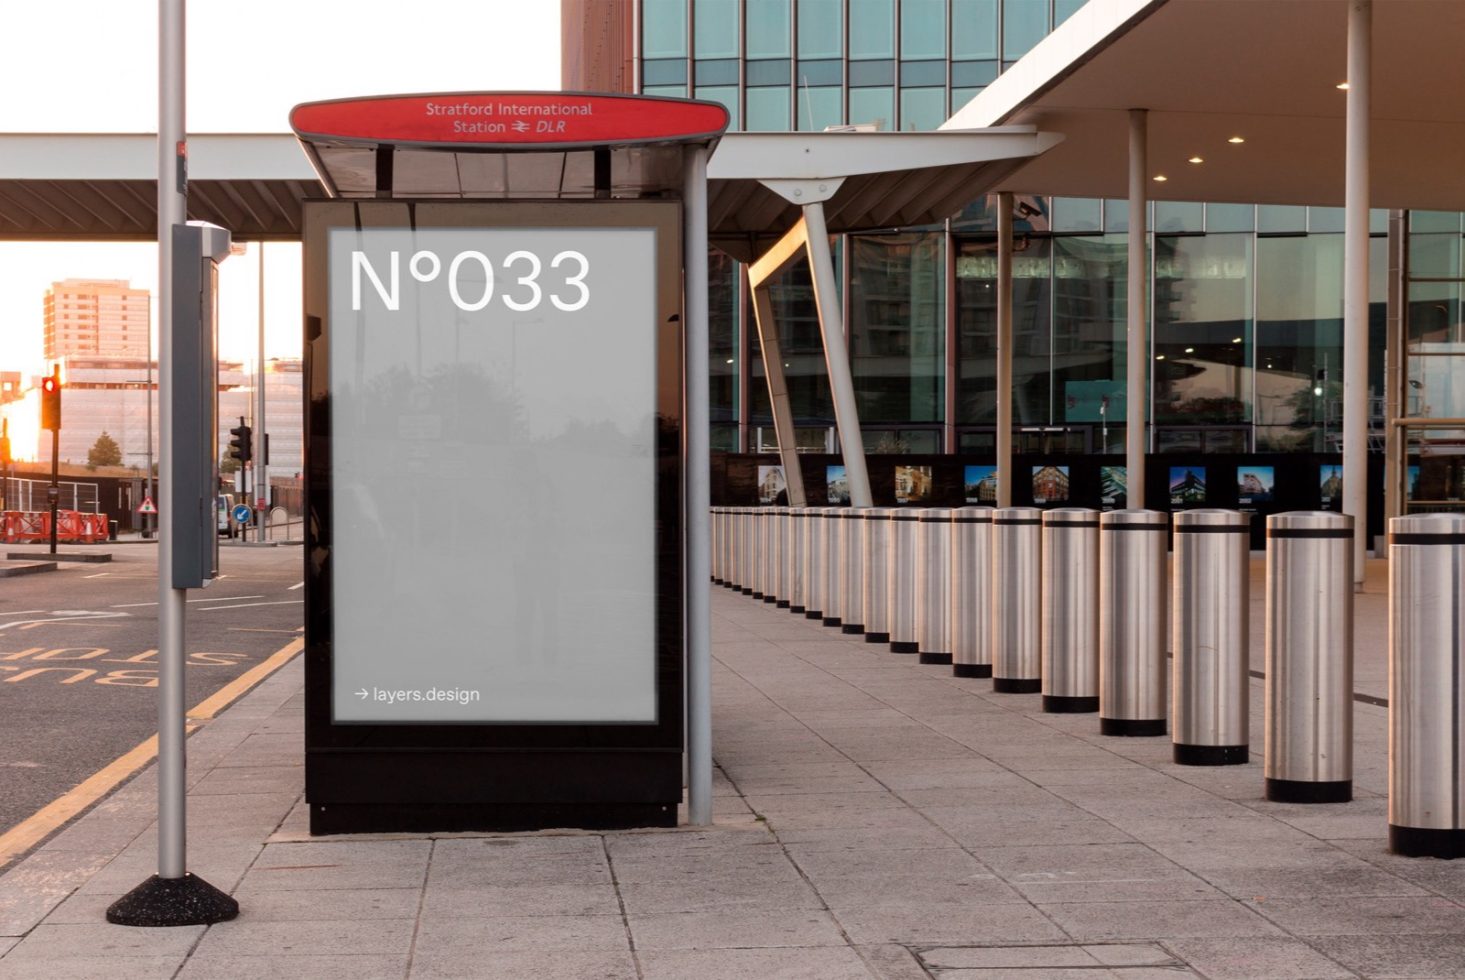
(875, 820)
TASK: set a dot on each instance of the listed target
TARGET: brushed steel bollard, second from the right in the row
(1309, 743)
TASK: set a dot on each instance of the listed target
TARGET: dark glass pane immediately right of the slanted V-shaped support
(897, 326)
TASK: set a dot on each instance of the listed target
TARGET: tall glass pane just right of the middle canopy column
(1202, 336)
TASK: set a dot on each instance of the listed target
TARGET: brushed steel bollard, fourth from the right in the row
(1133, 656)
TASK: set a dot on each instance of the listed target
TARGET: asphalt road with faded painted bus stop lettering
(78, 657)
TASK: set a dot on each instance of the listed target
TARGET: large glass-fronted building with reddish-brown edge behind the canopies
(1246, 320)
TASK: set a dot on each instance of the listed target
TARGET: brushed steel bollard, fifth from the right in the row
(1070, 603)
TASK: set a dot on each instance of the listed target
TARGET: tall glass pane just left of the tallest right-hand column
(1300, 344)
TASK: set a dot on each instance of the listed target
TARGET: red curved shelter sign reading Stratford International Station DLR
(511, 118)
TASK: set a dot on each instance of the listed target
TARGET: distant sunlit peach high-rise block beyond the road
(96, 319)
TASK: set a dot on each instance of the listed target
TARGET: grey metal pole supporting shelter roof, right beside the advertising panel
(700, 493)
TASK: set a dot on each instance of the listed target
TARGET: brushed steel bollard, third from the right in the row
(1211, 683)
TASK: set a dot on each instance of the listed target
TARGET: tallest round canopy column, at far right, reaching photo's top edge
(1356, 282)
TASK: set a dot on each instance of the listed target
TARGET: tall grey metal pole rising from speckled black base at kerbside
(172, 212)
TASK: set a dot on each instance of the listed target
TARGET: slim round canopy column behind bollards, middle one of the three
(1138, 348)
